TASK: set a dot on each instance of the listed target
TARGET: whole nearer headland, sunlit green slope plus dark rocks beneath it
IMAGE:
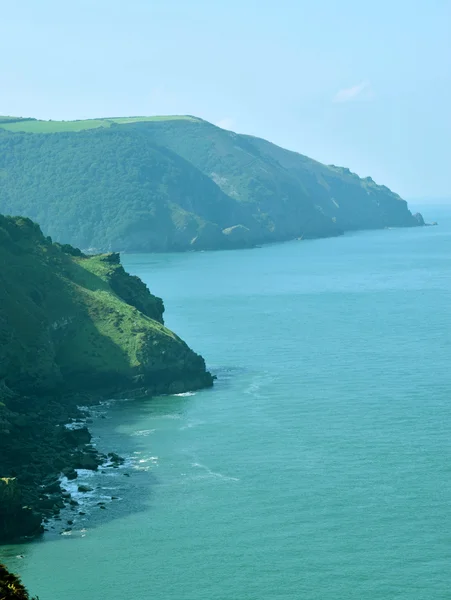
(69, 325)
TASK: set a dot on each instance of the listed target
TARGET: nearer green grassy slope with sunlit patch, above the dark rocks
(71, 323)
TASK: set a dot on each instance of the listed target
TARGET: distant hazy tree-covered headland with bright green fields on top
(178, 183)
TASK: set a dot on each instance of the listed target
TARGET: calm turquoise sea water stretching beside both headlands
(319, 467)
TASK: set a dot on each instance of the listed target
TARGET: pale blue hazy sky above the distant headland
(364, 84)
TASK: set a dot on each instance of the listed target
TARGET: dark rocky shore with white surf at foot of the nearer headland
(44, 458)
